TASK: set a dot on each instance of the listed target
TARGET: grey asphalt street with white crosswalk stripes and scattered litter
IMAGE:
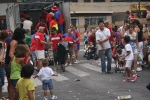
(84, 81)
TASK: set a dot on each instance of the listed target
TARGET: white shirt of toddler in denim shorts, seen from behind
(45, 73)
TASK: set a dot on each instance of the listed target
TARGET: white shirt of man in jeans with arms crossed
(101, 35)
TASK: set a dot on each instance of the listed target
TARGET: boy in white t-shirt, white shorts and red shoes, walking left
(129, 59)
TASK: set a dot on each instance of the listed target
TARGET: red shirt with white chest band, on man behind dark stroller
(55, 39)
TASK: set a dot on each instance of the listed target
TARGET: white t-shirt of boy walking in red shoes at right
(129, 48)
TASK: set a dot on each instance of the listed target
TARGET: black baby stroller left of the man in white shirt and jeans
(90, 53)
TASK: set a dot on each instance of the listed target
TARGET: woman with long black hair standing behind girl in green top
(17, 38)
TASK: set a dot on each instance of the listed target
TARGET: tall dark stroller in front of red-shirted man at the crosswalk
(62, 53)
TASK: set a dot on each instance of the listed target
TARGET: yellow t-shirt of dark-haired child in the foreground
(23, 86)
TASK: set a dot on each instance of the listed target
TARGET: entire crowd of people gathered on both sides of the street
(20, 48)
